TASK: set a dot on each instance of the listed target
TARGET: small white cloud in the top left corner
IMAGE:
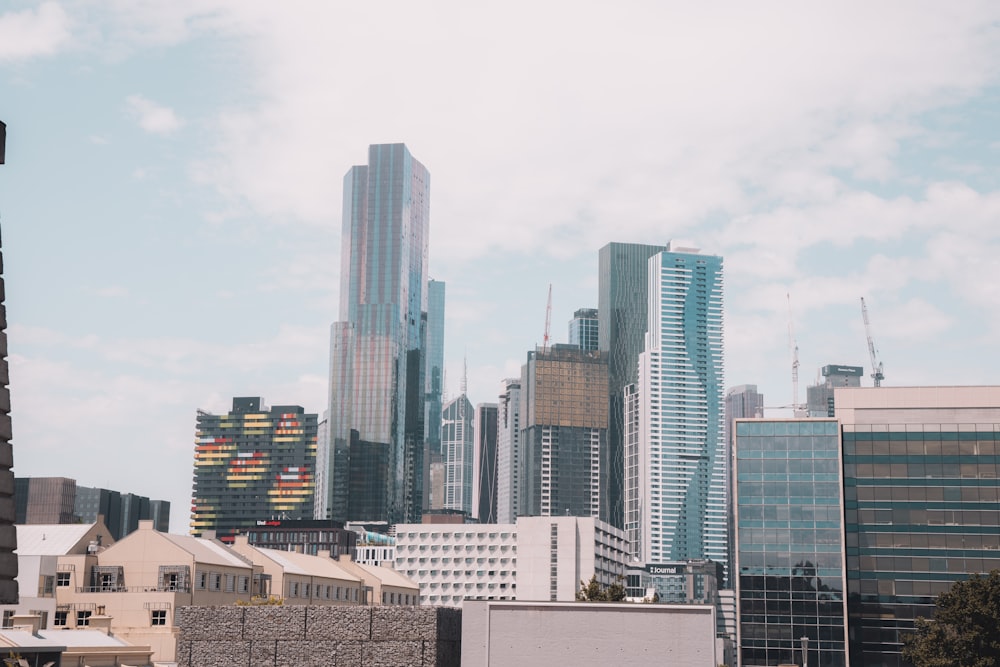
(33, 33)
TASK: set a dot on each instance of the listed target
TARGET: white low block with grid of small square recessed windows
(536, 558)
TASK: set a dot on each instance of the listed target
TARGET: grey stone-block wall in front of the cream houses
(280, 636)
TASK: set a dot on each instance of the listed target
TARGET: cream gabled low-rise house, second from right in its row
(303, 579)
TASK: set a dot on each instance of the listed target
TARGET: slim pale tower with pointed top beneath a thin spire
(458, 444)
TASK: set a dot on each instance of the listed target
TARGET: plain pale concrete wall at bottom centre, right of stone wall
(526, 634)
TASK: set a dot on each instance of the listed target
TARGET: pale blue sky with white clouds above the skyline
(171, 200)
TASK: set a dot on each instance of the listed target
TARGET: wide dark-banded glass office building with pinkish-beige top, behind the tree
(922, 492)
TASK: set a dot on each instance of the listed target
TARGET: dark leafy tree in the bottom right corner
(965, 630)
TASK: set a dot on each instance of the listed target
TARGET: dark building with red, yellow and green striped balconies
(253, 464)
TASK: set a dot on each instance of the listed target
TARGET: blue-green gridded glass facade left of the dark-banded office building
(789, 567)
